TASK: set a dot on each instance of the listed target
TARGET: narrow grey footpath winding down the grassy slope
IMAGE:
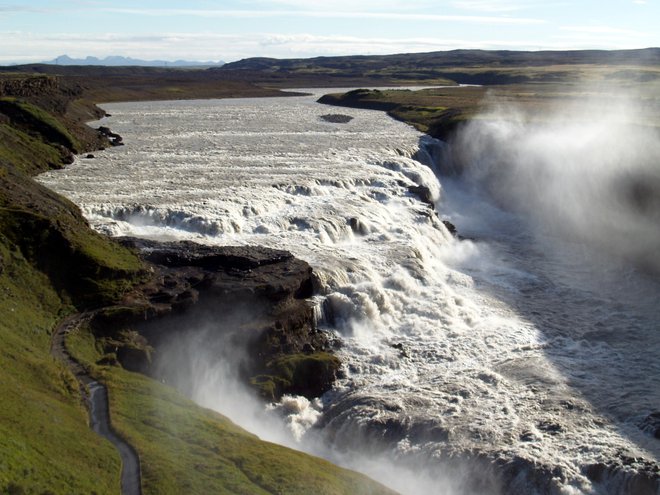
(96, 395)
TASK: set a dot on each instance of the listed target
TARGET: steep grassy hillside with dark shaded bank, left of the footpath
(50, 263)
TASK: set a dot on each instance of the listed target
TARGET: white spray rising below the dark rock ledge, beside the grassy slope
(204, 360)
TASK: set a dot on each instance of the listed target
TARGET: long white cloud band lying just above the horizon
(37, 47)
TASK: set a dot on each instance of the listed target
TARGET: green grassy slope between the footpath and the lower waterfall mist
(185, 448)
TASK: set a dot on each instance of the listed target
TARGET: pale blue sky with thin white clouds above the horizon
(37, 30)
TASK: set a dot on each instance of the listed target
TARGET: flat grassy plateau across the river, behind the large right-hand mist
(438, 111)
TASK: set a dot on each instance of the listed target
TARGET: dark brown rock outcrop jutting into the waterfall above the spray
(256, 297)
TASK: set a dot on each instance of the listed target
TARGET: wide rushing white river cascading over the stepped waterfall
(502, 361)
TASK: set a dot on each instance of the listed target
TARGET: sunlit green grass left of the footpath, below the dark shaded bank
(46, 445)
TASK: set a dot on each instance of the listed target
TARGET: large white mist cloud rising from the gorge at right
(584, 173)
